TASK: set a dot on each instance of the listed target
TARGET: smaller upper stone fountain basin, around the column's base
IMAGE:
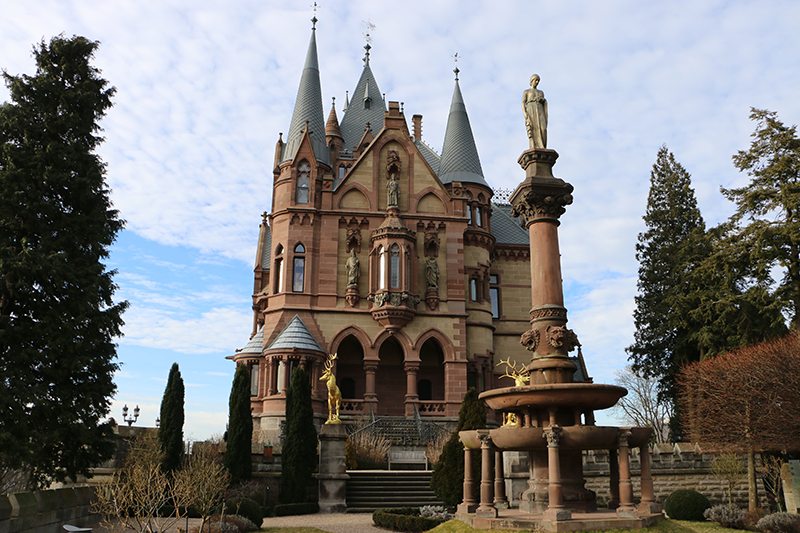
(571, 395)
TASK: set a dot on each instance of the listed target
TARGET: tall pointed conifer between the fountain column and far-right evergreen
(668, 253)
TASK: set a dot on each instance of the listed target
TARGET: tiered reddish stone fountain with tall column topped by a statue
(547, 414)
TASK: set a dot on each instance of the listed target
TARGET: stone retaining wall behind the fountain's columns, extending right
(674, 466)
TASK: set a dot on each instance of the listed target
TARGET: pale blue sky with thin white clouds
(205, 87)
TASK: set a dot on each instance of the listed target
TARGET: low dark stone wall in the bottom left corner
(46, 511)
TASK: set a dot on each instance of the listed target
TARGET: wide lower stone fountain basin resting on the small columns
(572, 438)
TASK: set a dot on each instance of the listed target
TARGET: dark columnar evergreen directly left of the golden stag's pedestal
(299, 455)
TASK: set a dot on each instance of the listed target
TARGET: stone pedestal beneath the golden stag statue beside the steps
(332, 475)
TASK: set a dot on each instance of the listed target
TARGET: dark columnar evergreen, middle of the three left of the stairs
(240, 428)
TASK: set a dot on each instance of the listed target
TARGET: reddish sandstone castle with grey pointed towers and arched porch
(398, 259)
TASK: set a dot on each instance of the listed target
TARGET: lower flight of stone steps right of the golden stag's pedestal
(368, 490)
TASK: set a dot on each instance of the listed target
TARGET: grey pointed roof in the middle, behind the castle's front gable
(366, 106)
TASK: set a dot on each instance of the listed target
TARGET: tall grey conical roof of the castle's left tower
(308, 108)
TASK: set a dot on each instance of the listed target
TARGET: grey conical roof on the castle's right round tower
(459, 161)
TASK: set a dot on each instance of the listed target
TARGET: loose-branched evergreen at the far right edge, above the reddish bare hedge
(766, 223)
